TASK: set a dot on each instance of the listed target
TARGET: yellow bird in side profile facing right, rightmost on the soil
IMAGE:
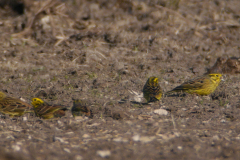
(203, 85)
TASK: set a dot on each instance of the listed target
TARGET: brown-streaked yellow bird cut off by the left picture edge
(13, 106)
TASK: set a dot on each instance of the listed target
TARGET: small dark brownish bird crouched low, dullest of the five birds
(80, 108)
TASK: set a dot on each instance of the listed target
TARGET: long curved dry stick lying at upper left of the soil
(31, 21)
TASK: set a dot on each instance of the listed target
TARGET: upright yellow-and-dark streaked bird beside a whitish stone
(152, 91)
